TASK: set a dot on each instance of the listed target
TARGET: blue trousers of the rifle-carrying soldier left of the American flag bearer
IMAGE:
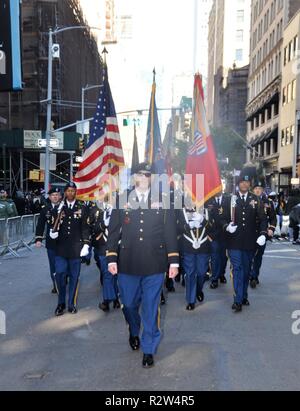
(71, 268)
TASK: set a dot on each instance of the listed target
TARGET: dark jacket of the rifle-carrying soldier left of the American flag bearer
(73, 230)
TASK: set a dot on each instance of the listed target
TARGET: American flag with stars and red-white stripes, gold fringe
(103, 156)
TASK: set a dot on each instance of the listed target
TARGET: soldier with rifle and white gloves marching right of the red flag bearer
(247, 213)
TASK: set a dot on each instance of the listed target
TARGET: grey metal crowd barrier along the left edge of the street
(17, 233)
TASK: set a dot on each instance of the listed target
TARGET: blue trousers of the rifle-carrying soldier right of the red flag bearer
(241, 261)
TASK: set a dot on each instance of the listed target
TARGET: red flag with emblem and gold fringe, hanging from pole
(201, 158)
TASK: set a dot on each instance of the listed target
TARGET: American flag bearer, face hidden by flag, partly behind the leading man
(98, 220)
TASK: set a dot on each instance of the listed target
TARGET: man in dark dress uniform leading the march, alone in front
(142, 242)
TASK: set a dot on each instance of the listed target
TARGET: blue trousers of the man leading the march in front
(142, 291)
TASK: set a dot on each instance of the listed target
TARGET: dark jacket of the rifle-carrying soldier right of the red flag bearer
(247, 217)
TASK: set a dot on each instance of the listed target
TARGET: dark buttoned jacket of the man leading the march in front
(142, 241)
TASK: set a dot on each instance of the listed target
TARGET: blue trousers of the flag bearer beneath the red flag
(195, 267)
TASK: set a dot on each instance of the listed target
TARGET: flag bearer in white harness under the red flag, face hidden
(196, 235)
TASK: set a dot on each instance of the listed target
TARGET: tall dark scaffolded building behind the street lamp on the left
(77, 65)
